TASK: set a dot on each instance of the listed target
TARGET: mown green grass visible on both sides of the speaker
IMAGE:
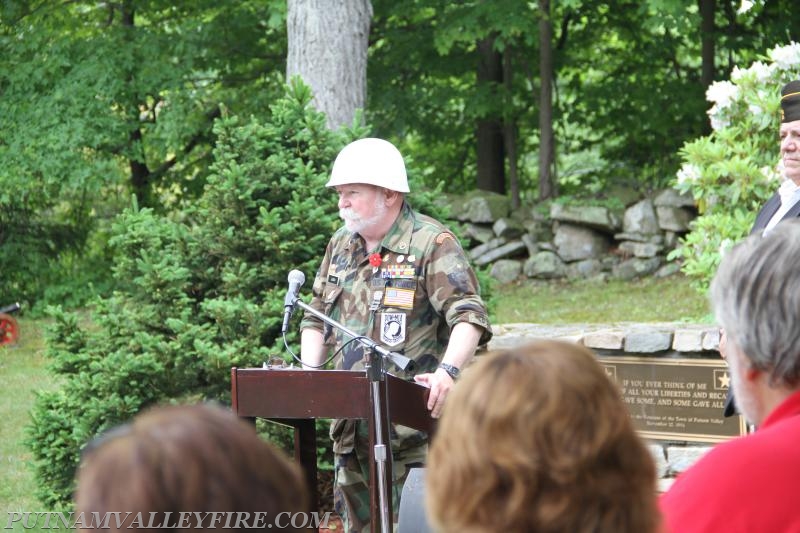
(23, 367)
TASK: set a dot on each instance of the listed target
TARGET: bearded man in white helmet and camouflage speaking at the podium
(402, 279)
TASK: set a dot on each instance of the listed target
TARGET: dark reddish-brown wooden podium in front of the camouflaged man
(297, 397)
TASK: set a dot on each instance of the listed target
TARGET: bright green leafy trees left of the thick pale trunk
(104, 99)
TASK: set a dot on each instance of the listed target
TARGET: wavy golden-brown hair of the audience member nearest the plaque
(537, 439)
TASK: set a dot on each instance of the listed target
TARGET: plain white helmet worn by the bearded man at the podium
(371, 161)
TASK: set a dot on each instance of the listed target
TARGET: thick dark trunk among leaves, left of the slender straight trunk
(491, 152)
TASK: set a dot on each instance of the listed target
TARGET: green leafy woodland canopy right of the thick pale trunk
(627, 80)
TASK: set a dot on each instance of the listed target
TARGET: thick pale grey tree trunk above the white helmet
(328, 49)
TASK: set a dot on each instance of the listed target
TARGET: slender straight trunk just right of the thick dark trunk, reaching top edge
(546, 141)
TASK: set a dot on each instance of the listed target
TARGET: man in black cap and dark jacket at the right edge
(785, 203)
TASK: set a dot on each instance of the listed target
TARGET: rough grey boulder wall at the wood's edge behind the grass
(573, 241)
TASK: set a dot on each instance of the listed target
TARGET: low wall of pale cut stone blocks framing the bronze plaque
(657, 340)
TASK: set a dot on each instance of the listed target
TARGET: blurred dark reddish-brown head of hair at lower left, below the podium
(188, 459)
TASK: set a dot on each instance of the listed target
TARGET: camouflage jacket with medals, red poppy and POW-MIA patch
(423, 286)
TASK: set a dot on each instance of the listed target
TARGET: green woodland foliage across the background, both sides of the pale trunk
(104, 100)
